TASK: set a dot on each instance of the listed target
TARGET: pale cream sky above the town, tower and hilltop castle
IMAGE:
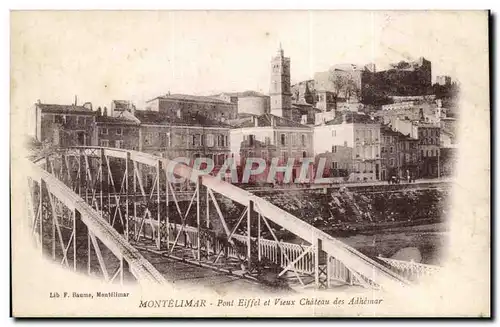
(100, 56)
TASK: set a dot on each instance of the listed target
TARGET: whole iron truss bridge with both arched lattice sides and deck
(105, 210)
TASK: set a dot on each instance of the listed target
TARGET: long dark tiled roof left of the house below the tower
(158, 118)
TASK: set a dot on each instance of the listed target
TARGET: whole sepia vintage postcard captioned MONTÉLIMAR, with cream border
(250, 164)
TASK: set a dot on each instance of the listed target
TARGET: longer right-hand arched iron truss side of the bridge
(88, 169)
